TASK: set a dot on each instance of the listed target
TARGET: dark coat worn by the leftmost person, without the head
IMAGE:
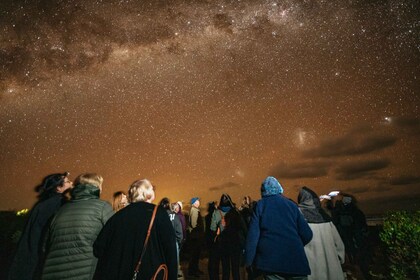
(29, 256)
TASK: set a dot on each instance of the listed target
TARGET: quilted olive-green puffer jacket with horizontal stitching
(72, 233)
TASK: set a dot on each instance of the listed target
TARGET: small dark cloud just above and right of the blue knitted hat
(300, 170)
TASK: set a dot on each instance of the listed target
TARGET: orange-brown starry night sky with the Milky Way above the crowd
(211, 96)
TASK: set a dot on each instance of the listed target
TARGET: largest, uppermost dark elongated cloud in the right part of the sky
(354, 143)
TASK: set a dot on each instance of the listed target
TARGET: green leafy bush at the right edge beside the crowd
(401, 237)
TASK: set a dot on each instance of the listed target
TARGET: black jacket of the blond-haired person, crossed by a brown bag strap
(119, 245)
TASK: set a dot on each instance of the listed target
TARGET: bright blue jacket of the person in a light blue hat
(276, 237)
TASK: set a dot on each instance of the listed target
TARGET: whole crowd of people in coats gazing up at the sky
(80, 236)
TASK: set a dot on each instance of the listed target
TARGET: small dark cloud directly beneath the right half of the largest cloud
(360, 169)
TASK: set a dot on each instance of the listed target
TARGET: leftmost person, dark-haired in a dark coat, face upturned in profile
(28, 260)
